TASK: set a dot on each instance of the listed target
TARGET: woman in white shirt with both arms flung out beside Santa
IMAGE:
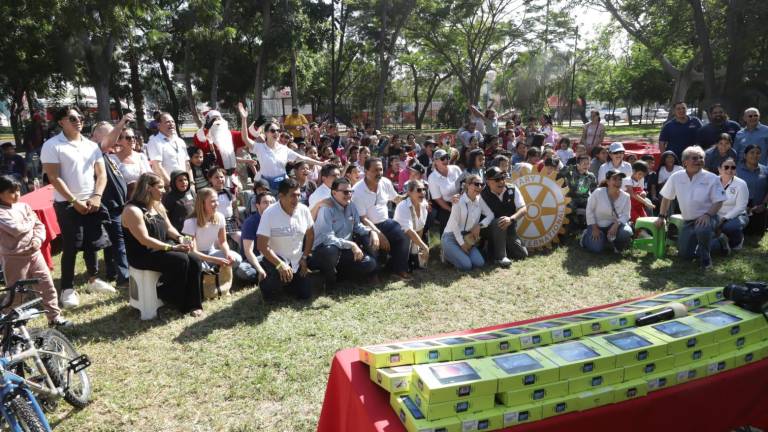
(273, 156)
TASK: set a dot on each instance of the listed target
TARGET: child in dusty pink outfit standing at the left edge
(21, 235)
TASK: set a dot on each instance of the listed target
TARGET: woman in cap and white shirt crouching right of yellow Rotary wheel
(607, 216)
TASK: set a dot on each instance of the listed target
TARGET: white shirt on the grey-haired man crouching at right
(694, 195)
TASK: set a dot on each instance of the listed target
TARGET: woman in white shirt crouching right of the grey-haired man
(733, 213)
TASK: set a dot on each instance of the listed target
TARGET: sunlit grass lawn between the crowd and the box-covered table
(250, 366)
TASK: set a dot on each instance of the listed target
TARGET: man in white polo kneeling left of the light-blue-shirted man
(284, 231)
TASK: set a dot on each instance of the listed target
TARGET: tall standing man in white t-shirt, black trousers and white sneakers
(75, 167)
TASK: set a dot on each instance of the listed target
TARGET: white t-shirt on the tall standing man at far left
(76, 160)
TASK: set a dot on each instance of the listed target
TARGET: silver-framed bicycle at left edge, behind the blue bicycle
(44, 359)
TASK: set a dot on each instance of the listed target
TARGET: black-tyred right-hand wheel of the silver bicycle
(59, 351)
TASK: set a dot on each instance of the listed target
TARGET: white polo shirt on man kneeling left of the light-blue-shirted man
(286, 232)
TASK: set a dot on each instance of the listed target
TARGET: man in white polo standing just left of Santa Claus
(167, 151)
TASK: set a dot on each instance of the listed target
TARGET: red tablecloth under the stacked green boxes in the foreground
(718, 403)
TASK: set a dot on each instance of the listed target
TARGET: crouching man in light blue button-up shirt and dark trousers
(340, 238)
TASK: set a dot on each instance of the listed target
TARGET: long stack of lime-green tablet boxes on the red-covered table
(514, 375)
